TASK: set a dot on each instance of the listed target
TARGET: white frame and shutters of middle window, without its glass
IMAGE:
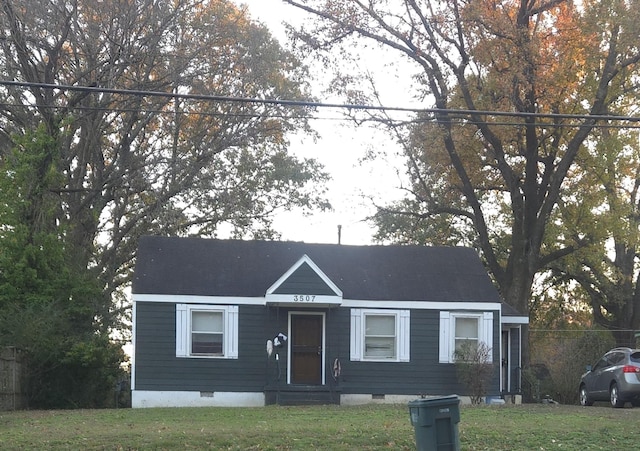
(357, 333)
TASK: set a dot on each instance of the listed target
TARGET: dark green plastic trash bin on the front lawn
(435, 421)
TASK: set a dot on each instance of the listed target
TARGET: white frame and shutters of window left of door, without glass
(230, 332)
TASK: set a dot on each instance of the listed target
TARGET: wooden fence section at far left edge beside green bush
(12, 396)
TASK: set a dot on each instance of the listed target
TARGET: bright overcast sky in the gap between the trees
(340, 150)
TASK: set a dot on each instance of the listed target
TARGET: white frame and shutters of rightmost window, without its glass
(448, 328)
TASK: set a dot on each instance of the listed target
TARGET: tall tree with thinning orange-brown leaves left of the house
(137, 163)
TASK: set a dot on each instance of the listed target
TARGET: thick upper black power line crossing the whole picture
(435, 112)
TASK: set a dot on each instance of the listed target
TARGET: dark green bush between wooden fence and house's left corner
(66, 366)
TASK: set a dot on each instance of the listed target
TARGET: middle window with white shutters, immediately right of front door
(380, 335)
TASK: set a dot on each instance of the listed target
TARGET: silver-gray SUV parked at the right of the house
(614, 378)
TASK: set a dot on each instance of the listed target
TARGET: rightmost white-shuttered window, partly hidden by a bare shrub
(458, 329)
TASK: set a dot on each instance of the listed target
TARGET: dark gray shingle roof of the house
(208, 267)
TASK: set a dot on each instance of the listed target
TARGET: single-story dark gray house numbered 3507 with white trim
(249, 323)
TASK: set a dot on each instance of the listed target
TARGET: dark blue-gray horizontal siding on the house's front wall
(157, 368)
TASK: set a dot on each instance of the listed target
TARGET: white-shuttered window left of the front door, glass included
(207, 331)
